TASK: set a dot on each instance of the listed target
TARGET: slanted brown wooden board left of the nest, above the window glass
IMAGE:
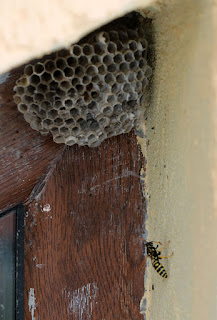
(24, 154)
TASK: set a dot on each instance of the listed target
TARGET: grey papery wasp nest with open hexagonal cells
(89, 92)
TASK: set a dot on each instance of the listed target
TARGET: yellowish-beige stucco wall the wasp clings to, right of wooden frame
(181, 162)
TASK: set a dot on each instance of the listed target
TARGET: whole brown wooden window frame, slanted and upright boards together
(82, 255)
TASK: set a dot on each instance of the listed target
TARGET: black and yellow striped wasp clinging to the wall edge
(155, 256)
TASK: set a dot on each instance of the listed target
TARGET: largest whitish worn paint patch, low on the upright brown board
(81, 301)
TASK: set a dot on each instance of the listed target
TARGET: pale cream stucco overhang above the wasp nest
(30, 29)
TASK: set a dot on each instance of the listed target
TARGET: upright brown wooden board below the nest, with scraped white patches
(82, 256)
